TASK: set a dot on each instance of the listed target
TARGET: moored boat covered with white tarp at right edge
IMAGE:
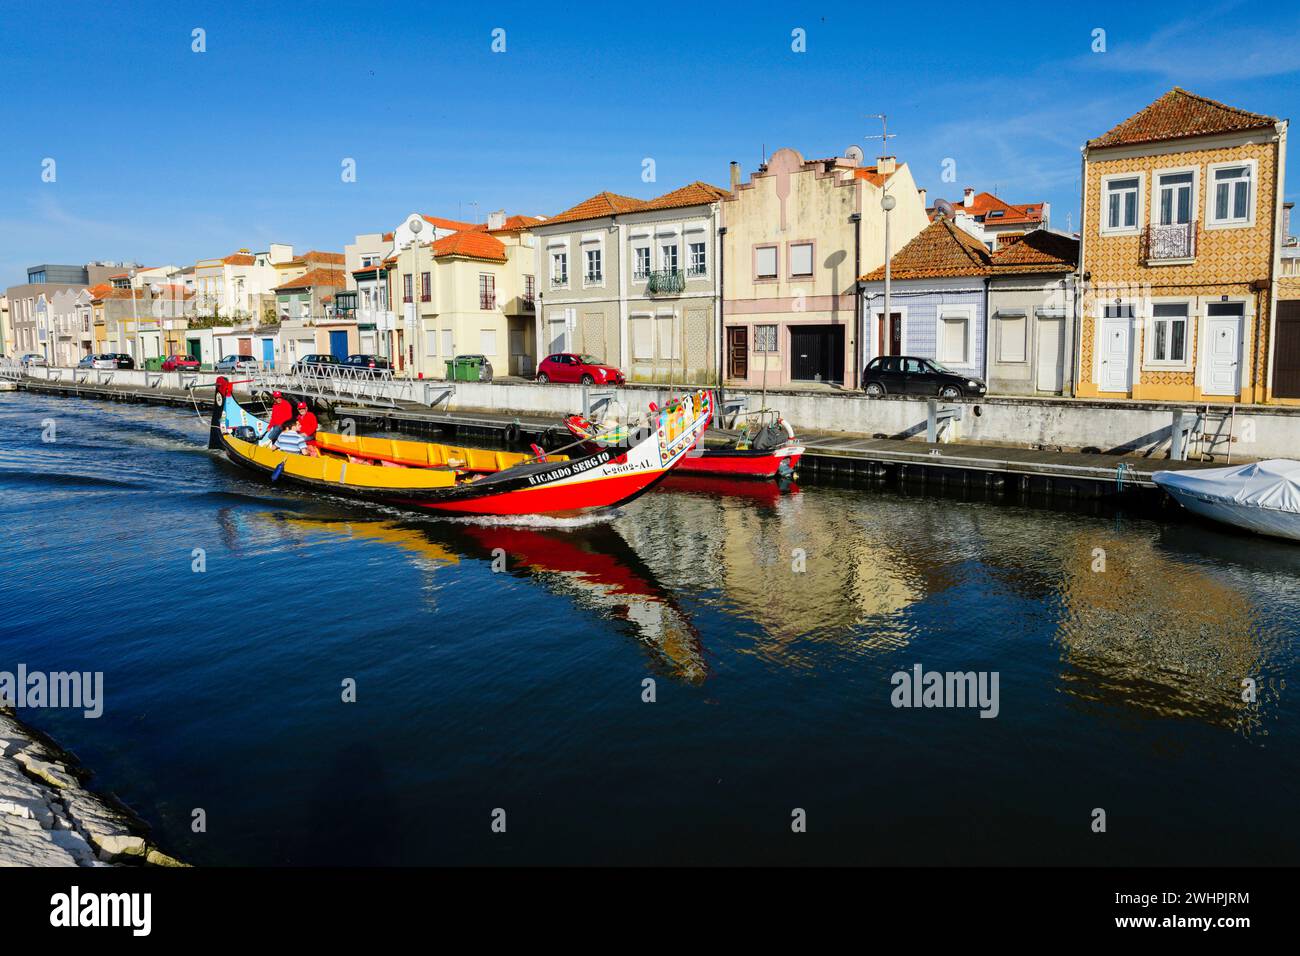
(1263, 498)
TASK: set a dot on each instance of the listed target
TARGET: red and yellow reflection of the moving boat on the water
(591, 564)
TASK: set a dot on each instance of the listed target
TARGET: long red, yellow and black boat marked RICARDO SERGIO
(428, 477)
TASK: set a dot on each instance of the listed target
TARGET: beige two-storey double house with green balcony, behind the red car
(634, 283)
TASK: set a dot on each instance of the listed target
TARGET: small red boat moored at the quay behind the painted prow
(765, 448)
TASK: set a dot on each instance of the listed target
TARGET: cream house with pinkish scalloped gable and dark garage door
(799, 233)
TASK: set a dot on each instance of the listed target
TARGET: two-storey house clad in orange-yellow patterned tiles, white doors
(1181, 250)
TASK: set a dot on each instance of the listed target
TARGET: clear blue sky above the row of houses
(166, 155)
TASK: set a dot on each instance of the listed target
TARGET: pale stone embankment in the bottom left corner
(49, 819)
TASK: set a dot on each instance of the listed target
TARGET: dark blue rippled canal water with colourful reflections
(505, 668)
